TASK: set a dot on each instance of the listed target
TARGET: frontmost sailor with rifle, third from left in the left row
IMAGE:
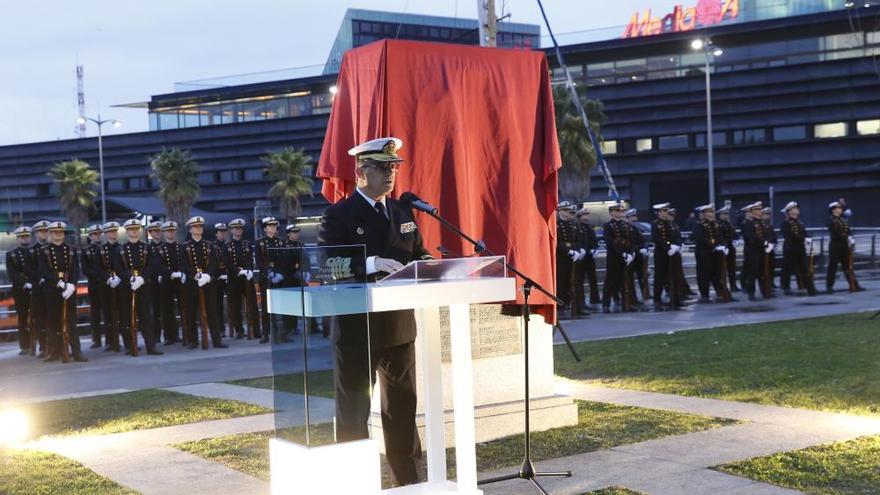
(59, 268)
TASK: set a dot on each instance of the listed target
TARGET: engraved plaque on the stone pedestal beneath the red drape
(492, 333)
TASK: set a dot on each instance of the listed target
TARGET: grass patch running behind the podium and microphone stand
(600, 426)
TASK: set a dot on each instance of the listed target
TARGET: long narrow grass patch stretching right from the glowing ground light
(130, 411)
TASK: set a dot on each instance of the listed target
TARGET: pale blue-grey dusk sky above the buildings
(134, 50)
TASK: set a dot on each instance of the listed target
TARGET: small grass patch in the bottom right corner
(842, 468)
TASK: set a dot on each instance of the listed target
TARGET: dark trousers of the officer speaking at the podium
(356, 367)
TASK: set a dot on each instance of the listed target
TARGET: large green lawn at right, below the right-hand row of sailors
(827, 363)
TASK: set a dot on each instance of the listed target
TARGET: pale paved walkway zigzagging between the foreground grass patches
(144, 461)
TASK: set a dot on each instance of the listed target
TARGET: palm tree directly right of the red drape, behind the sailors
(578, 155)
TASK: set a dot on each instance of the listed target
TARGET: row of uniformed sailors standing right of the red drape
(715, 242)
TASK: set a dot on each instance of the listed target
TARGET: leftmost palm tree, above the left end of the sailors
(77, 183)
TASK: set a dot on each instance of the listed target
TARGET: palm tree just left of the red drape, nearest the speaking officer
(289, 172)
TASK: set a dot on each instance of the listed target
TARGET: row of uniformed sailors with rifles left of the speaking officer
(145, 286)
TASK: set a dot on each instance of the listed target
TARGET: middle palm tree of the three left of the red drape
(178, 176)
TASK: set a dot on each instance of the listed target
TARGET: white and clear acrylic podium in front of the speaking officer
(332, 282)
